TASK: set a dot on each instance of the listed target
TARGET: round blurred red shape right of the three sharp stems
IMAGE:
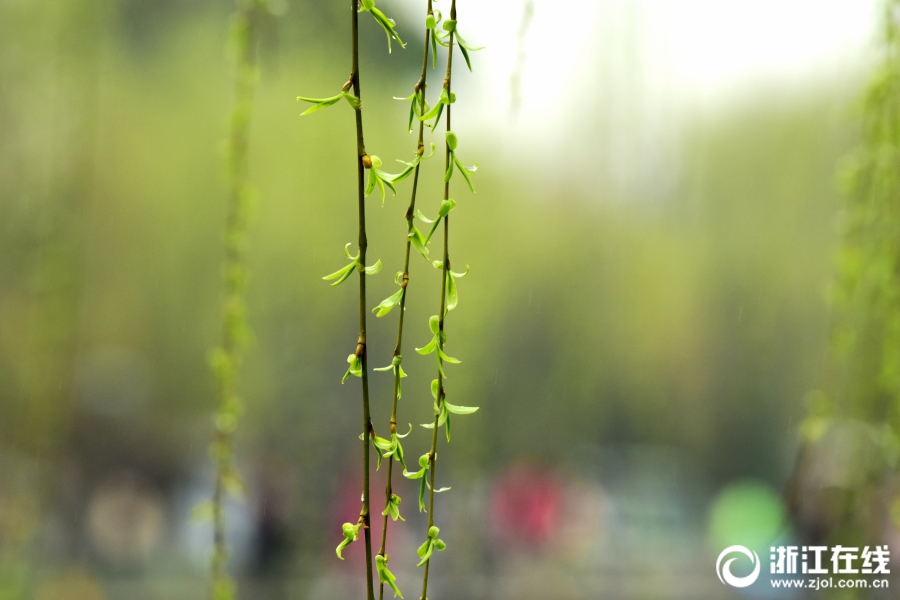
(525, 507)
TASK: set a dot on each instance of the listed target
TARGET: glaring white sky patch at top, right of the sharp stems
(695, 50)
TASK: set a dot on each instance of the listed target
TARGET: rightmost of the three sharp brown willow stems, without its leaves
(432, 455)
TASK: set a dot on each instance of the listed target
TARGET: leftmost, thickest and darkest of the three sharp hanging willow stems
(361, 164)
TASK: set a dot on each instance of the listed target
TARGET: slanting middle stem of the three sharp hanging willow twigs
(410, 215)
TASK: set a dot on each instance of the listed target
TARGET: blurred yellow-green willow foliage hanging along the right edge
(851, 434)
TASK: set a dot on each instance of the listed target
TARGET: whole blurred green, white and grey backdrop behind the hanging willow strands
(644, 327)
